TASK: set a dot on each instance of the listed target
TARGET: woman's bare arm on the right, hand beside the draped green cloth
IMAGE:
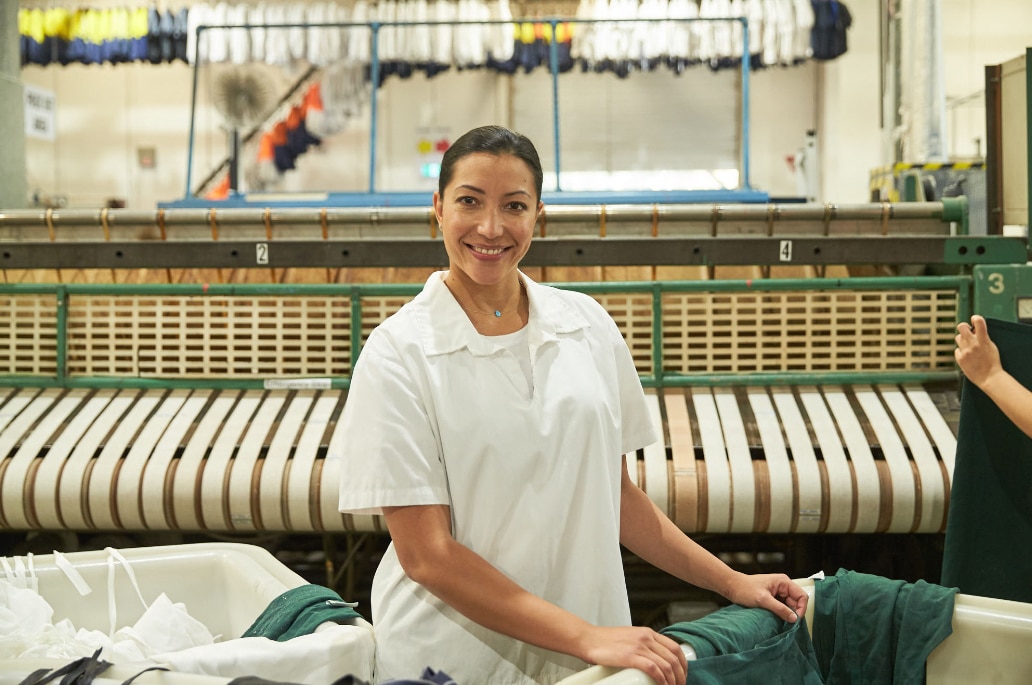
(650, 534)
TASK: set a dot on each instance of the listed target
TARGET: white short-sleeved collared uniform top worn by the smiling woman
(440, 415)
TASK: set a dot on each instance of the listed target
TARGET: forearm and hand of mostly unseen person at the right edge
(980, 360)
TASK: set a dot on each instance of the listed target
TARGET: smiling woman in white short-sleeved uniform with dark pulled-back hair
(488, 420)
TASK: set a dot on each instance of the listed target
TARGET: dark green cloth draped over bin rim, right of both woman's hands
(869, 630)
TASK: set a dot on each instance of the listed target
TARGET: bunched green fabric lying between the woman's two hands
(748, 647)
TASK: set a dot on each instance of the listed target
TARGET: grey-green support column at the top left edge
(14, 187)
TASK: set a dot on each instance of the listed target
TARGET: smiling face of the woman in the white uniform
(488, 216)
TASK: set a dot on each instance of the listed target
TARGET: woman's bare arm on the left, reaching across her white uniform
(466, 581)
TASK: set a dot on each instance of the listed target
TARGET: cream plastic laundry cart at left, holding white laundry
(223, 586)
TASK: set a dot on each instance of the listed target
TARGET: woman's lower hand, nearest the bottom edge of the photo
(630, 647)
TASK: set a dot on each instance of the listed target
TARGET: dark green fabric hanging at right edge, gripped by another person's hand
(989, 529)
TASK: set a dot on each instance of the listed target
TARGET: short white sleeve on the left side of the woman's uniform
(390, 453)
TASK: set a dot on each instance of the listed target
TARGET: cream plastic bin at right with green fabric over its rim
(991, 643)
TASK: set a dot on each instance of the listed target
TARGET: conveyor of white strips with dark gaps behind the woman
(753, 460)
